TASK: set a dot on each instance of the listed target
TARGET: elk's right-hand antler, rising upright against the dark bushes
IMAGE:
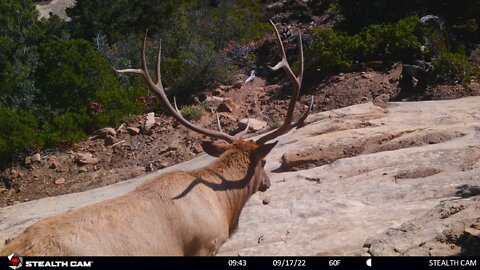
(297, 81)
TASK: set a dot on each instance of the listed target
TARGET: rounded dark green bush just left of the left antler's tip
(70, 73)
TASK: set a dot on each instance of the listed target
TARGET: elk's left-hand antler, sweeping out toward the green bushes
(158, 89)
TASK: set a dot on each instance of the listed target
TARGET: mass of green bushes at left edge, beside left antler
(78, 93)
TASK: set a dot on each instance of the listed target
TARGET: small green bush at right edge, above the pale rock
(455, 67)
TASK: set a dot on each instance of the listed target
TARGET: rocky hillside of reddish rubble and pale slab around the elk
(365, 176)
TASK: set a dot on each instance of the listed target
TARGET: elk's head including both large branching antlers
(256, 150)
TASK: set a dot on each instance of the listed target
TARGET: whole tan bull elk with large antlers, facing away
(178, 213)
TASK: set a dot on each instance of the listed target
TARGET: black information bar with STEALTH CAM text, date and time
(263, 263)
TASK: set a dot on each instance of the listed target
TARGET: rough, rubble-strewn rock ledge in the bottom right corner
(451, 227)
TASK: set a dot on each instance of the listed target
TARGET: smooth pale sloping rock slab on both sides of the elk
(401, 179)
